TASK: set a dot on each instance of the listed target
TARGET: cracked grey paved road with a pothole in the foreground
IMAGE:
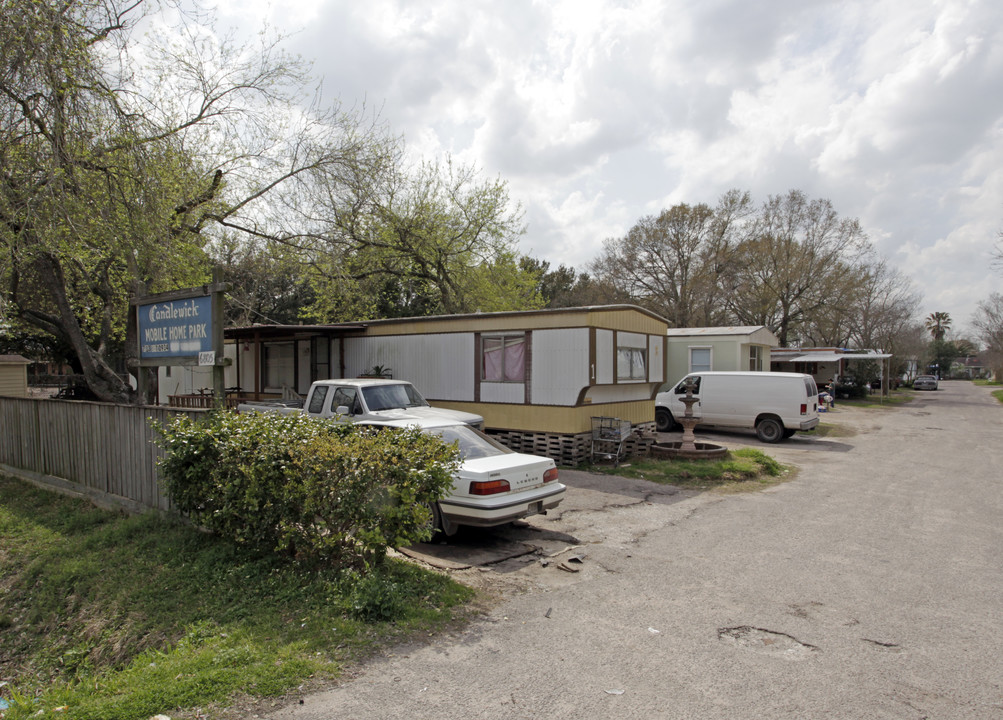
(869, 587)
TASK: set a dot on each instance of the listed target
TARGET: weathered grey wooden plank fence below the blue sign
(102, 452)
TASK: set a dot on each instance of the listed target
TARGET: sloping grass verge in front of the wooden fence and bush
(113, 616)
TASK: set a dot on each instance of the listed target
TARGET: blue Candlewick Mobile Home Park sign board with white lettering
(177, 328)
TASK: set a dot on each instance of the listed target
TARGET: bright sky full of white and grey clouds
(597, 113)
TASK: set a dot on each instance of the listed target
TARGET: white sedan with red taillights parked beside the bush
(495, 485)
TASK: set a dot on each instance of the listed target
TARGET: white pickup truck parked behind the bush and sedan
(366, 401)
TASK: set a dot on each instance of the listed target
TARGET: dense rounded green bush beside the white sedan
(318, 491)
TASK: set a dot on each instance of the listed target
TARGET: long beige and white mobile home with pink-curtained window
(538, 378)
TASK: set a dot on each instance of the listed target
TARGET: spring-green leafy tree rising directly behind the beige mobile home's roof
(438, 232)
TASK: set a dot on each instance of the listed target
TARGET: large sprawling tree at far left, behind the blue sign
(123, 153)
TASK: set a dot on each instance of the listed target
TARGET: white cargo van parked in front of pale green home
(775, 405)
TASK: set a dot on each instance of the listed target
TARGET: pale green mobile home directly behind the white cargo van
(722, 348)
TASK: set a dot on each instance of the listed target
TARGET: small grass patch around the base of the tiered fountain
(744, 470)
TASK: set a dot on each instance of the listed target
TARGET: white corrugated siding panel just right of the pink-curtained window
(560, 367)
